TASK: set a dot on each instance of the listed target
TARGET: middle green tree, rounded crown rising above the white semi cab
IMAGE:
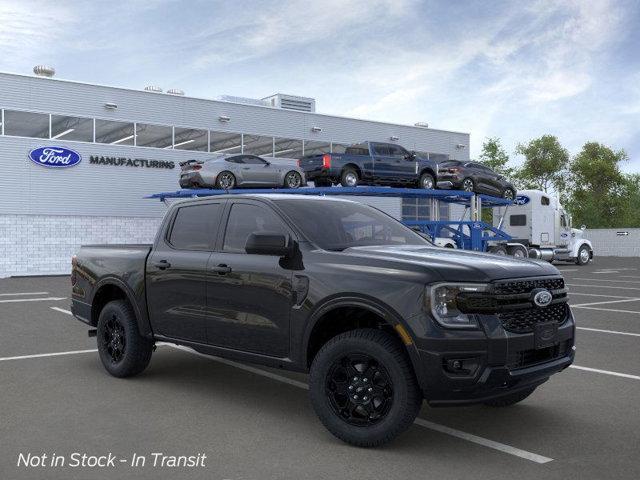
(545, 164)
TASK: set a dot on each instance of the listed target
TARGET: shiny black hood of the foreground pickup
(458, 265)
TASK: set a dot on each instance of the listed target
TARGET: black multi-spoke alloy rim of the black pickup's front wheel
(359, 389)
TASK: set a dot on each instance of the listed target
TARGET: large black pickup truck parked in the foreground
(380, 317)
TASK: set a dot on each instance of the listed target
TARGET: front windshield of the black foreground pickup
(335, 225)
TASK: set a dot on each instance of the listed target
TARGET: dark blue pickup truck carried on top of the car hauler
(371, 163)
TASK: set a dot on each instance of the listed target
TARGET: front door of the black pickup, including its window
(249, 297)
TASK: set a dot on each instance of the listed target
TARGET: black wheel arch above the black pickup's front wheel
(328, 320)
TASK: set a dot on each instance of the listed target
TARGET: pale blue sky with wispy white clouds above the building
(514, 70)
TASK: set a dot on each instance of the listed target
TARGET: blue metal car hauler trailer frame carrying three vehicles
(473, 234)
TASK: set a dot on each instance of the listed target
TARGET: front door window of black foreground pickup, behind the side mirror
(245, 219)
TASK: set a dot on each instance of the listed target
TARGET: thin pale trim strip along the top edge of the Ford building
(233, 103)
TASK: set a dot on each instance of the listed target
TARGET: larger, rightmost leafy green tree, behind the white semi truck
(599, 192)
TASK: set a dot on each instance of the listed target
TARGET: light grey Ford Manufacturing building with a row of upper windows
(127, 144)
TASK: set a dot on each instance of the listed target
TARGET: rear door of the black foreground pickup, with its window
(177, 272)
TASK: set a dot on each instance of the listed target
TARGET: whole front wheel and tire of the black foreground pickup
(352, 355)
